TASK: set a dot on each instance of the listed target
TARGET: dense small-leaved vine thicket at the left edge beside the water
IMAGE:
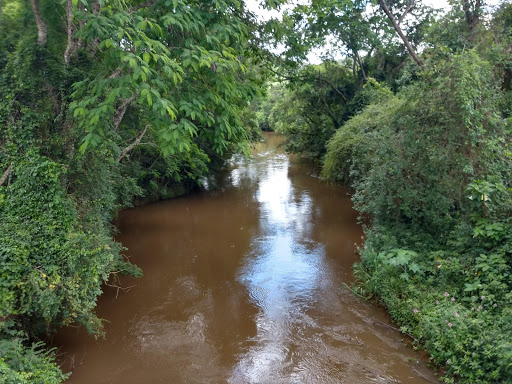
(53, 268)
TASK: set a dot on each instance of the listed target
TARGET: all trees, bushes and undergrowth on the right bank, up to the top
(424, 140)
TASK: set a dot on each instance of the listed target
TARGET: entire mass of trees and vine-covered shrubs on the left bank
(102, 102)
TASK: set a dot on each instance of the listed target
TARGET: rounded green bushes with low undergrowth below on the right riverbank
(431, 167)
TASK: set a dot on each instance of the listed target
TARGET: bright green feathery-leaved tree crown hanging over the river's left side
(195, 89)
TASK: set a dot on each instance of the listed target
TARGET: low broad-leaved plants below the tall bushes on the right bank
(456, 306)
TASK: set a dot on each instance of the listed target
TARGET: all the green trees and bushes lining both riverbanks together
(103, 103)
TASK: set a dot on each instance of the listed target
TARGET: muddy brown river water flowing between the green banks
(243, 284)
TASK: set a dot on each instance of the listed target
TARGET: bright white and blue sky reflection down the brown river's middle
(281, 273)
